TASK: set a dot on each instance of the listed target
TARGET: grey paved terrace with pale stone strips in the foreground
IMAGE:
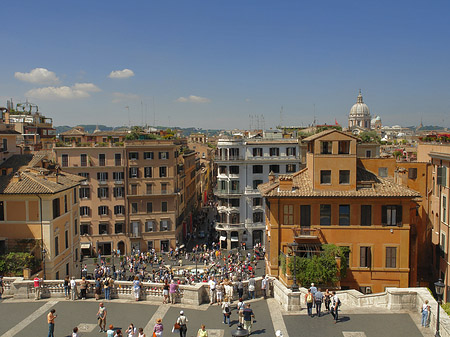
(28, 318)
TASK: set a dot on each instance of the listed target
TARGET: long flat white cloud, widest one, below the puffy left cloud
(79, 90)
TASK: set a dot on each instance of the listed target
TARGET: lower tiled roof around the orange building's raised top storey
(302, 186)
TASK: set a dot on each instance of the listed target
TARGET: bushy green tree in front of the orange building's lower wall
(322, 268)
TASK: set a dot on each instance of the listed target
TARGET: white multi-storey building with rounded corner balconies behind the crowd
(242, 165)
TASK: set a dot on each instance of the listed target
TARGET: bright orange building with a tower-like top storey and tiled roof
(333, 200)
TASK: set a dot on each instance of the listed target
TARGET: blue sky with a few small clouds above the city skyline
(211, 64)
